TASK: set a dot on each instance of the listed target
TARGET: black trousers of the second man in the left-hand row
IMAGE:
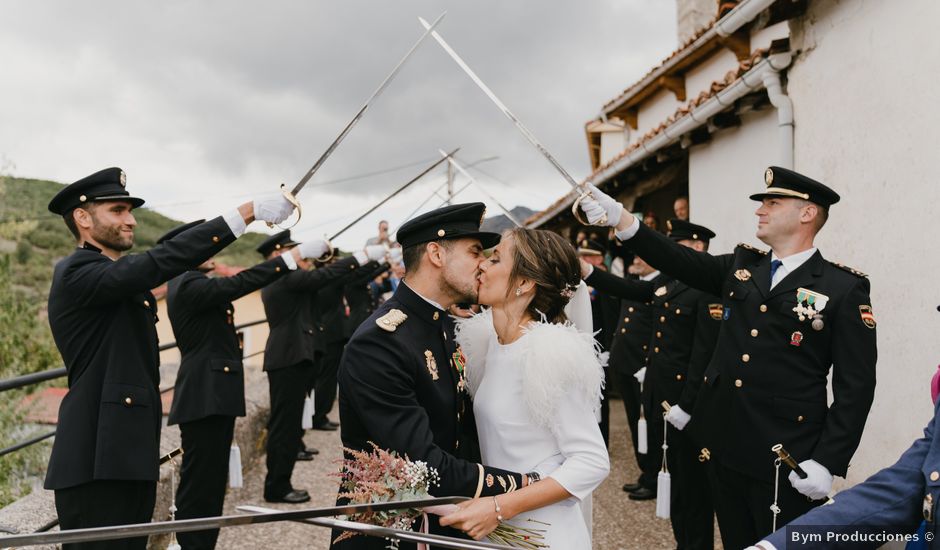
(203, 475)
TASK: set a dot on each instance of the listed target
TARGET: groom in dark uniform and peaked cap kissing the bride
(401, 381)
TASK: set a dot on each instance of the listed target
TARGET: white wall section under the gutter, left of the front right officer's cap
(724, 172)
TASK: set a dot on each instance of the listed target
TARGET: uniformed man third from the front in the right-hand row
(629, 350)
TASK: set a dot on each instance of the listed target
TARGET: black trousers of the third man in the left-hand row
(285, 434)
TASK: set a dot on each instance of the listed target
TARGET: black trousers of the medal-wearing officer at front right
(743, 504)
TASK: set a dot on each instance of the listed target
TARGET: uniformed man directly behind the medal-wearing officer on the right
(685, 329)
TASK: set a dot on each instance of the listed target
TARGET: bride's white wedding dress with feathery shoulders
(535, 403)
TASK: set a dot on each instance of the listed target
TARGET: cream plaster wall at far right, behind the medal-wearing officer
(864, 93)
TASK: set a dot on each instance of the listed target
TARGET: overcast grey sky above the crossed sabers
(206, 104)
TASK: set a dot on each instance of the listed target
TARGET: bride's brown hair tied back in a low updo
(552, 264)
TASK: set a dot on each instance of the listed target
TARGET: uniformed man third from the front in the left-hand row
(291, 353)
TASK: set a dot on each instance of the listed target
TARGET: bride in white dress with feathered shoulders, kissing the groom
(536, 386)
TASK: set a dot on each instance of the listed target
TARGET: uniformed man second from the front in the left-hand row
(210, 385)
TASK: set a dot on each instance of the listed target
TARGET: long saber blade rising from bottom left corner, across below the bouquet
(199, 524)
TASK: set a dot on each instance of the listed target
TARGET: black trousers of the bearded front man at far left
(106, 502)
